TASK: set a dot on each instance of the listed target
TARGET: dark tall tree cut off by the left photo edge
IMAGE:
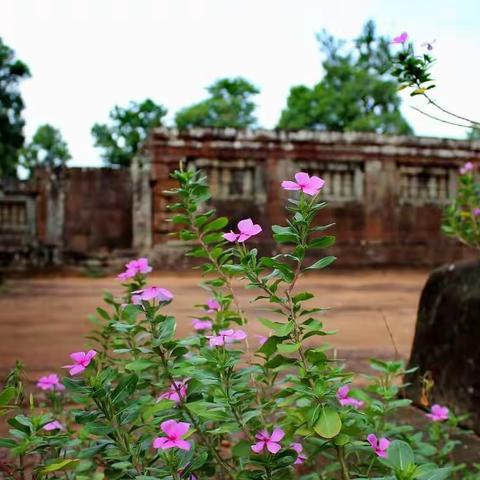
(12, 72)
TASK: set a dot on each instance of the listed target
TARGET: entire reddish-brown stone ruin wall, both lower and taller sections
(385, 194)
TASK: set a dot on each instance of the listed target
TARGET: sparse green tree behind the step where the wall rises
(128, 129)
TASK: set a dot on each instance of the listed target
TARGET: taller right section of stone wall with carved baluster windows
(386, 193)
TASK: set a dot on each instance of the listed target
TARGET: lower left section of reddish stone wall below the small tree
(63, 216)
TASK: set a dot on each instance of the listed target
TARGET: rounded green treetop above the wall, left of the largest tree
(229, 105)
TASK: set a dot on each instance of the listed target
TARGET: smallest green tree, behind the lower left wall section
(46, 149)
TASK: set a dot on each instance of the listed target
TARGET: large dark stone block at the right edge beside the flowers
(446, 347)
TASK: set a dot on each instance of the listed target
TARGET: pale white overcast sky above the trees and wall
(88, 55)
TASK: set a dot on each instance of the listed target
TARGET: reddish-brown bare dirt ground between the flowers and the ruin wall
(42, 320)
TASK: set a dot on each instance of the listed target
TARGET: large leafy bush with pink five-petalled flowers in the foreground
(143, 404)
